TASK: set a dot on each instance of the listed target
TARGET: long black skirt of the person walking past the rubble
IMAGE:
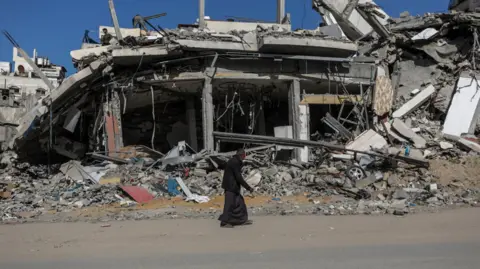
(235, 210)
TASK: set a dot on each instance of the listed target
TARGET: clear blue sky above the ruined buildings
(55, 27)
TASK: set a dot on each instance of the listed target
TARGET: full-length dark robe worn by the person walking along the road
(234, 209)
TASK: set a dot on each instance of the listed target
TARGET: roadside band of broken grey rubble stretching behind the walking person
(383, 189)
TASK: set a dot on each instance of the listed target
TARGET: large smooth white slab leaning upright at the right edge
(464, 110)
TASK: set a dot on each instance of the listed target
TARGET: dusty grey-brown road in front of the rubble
(441, 241)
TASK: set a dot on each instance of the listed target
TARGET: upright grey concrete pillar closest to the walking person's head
(207, 115)
